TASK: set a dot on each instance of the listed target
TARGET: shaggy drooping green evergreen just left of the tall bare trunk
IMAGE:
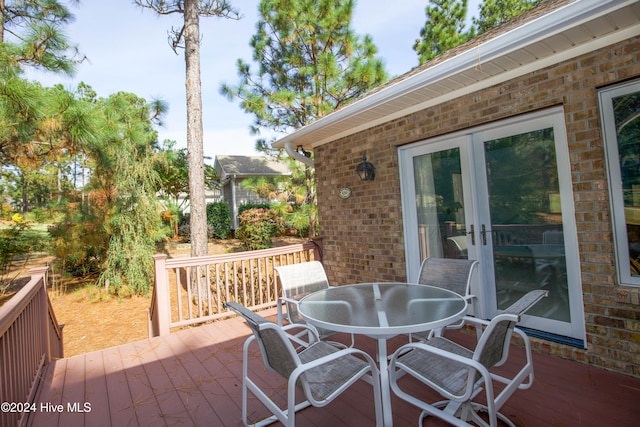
(126, 176)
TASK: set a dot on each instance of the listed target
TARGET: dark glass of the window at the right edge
(626, 110)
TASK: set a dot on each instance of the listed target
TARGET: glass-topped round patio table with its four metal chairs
(303, 352)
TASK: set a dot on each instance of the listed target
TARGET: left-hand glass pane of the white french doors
(439, 204)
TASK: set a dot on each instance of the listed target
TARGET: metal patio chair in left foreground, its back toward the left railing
(321, 371)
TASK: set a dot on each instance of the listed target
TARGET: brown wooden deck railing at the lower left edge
(30, 337)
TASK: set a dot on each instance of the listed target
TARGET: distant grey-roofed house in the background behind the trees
(233, 170)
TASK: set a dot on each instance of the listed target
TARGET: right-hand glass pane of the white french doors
(526, 221)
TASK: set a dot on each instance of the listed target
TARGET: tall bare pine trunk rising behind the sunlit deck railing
(198, 217)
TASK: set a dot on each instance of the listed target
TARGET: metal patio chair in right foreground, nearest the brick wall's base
(460, 374)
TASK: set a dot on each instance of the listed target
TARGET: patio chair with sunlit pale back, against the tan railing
(298, 281)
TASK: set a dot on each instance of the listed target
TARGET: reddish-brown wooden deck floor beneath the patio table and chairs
(193, 378)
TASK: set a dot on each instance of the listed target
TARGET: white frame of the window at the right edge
(614, 176)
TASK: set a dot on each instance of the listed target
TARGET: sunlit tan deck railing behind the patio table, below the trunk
(189, 291)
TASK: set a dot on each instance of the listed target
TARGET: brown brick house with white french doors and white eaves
(519, 149)
